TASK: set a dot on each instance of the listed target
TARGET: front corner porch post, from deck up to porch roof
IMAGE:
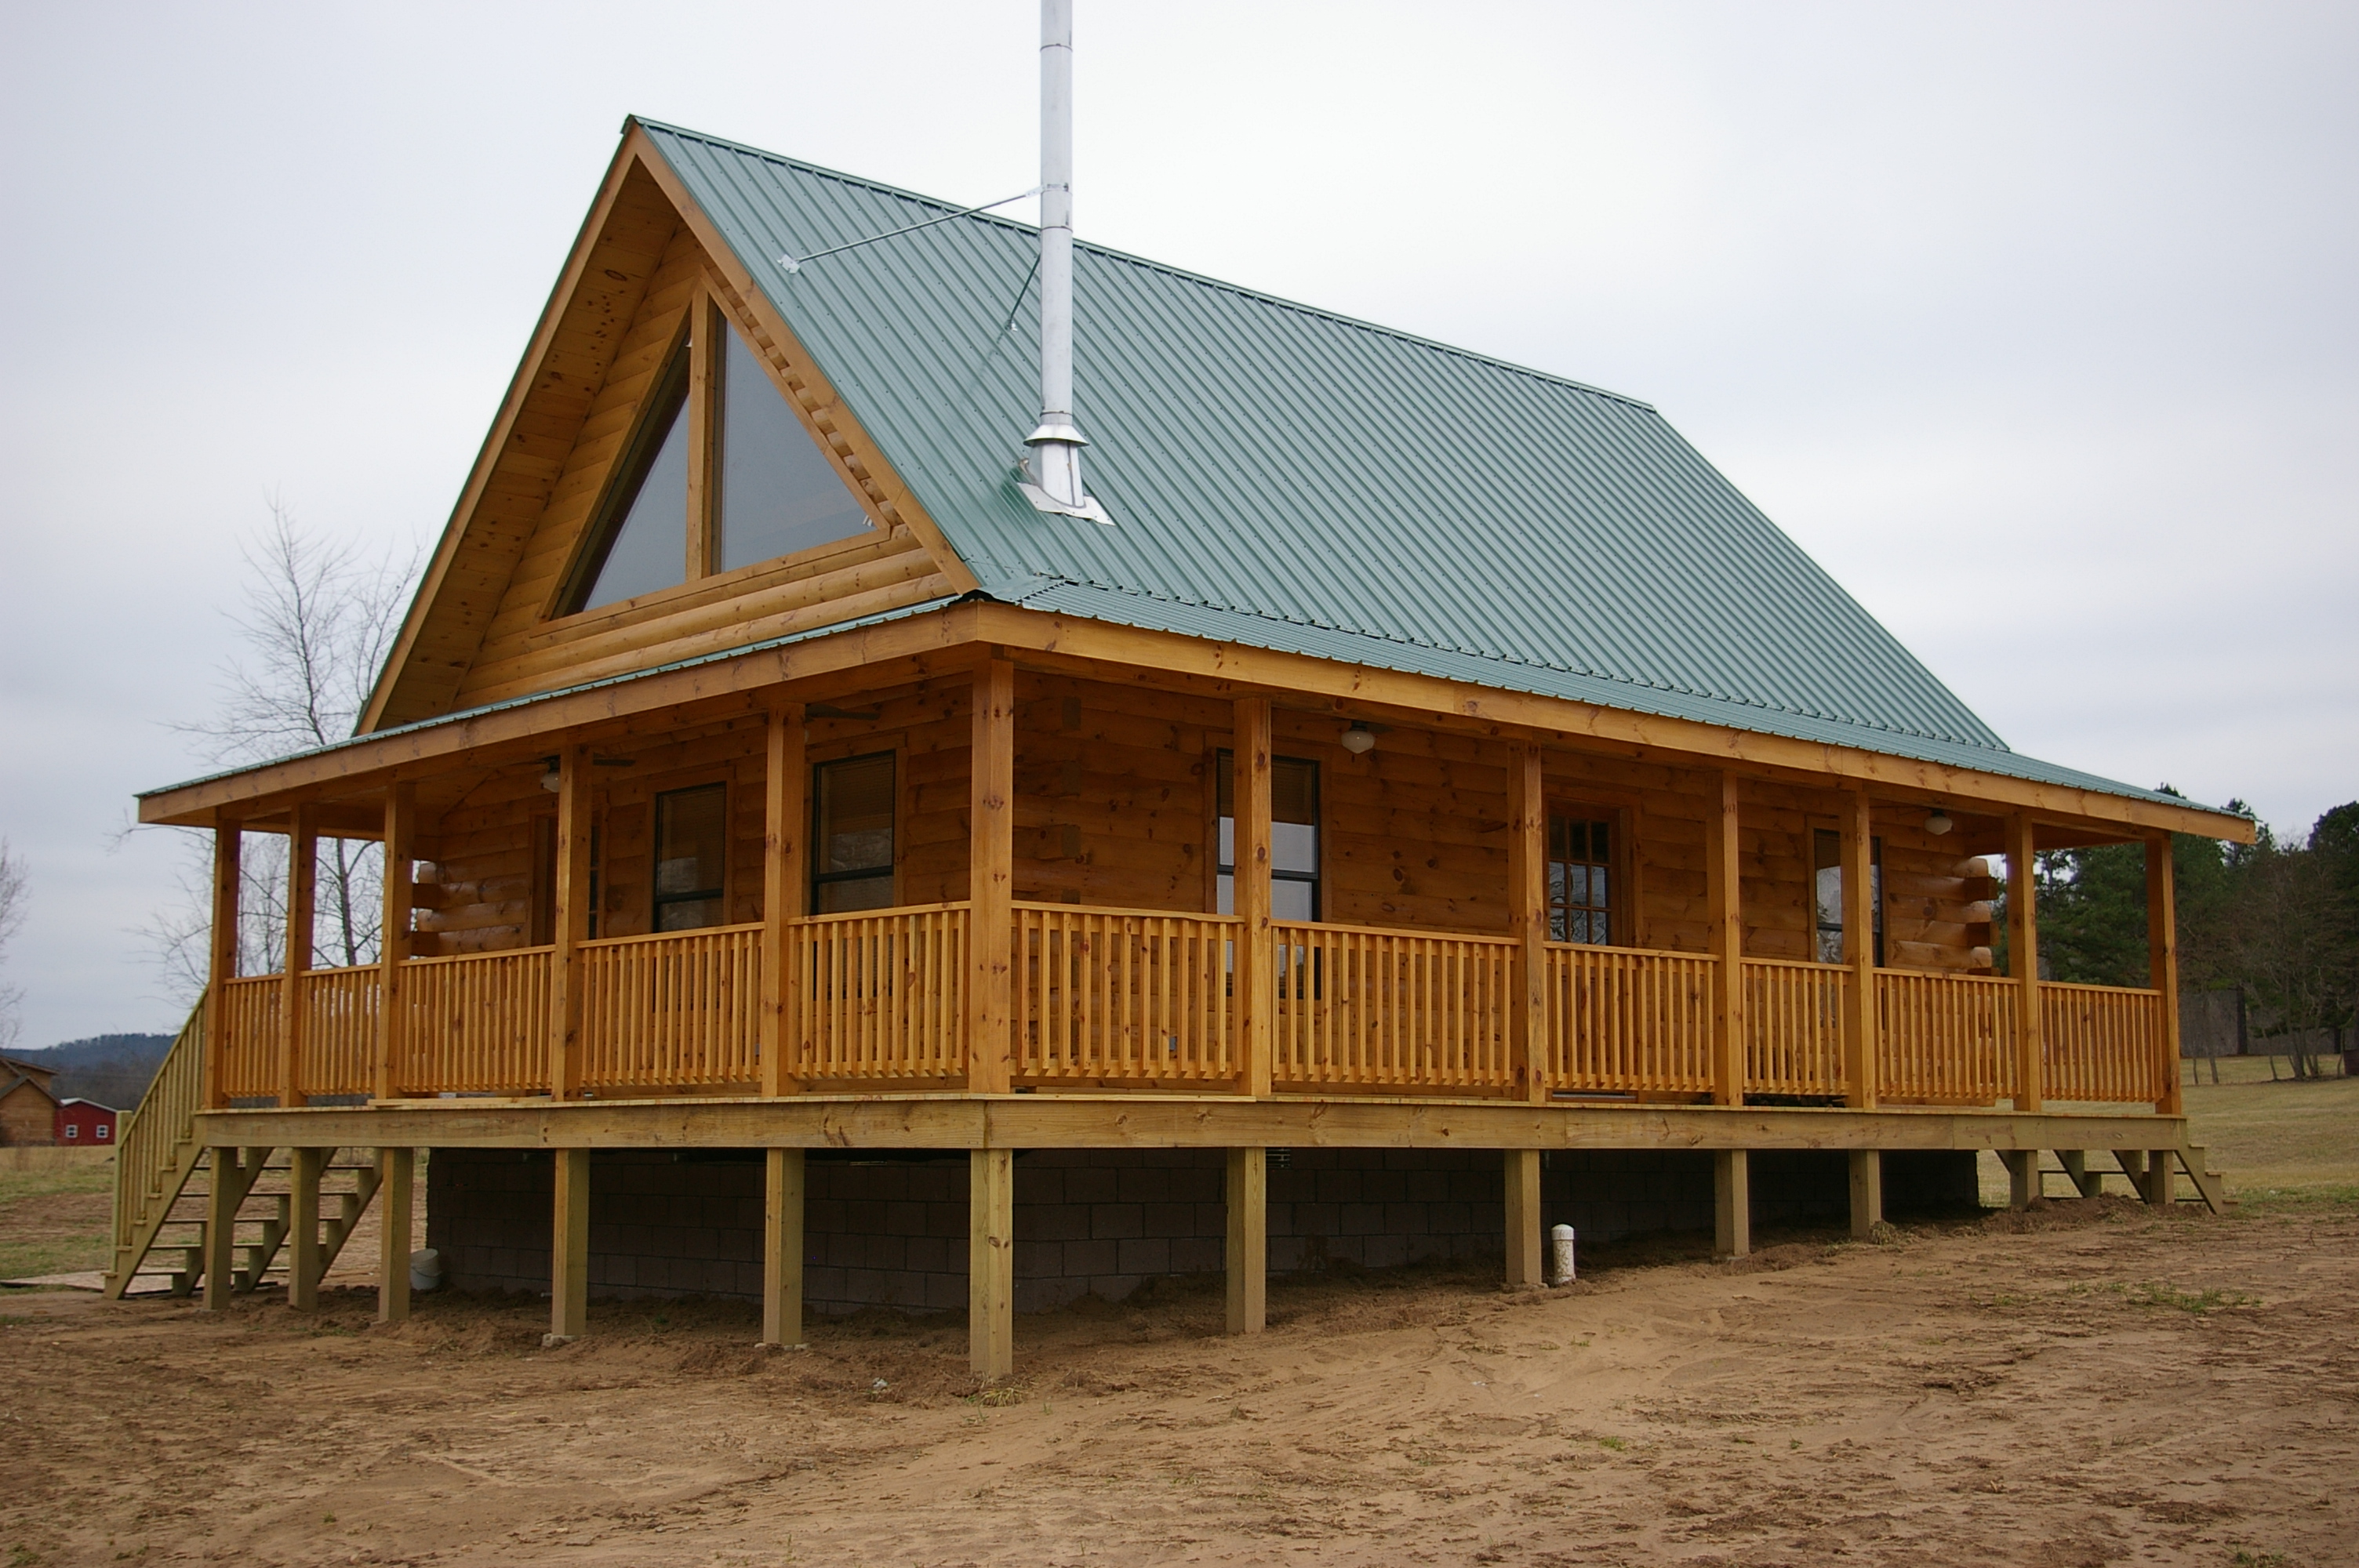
(992, 867)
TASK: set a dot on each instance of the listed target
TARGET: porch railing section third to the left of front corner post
(478, 1025)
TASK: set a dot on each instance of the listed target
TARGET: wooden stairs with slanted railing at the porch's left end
(164, 1185)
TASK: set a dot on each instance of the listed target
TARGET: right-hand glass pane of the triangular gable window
(775, 494)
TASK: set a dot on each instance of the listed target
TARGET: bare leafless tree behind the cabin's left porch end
(317, 621)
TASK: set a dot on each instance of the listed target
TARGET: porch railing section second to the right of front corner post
(1391, 1010)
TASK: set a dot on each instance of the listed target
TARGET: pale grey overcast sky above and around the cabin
(2035, 324)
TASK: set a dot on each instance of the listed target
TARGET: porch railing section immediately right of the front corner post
(1124, 996)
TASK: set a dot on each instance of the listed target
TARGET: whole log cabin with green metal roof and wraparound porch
(839, 857)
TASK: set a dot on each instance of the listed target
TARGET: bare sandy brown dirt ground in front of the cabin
(2087, 1383)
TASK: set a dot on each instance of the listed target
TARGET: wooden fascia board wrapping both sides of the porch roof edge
(1133, 657)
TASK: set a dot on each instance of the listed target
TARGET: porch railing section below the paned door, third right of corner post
(1622, 1020)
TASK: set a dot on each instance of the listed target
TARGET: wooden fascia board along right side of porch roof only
(1560, 720)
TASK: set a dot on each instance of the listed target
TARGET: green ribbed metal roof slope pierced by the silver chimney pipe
(1287, 477)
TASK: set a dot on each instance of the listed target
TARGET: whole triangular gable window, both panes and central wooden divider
(773, 492)
